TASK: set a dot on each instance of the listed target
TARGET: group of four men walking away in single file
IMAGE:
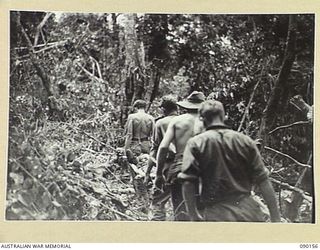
(207, 169)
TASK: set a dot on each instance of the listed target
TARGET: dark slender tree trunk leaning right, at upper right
(269, 114)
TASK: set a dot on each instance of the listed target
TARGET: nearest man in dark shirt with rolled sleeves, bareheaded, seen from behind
(228, 164)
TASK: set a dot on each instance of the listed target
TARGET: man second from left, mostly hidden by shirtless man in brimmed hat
(160, 197)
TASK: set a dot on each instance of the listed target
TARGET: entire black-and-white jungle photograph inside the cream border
(160, 117)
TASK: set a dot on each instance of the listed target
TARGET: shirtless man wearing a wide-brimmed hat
(179, 131)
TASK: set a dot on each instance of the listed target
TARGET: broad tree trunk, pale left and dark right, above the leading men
(143, 68)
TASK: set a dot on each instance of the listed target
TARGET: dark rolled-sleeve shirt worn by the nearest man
(228, 163)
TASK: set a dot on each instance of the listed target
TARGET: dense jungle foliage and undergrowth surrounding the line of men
(74, 77)
